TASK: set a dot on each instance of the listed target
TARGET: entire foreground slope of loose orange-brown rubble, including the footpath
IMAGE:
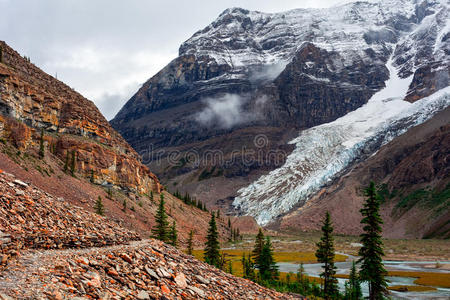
(114, 269)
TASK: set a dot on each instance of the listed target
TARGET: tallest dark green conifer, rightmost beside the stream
(371, 253)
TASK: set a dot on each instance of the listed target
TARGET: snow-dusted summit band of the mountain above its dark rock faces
(242, 38)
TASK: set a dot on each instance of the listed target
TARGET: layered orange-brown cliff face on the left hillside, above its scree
(31, 100)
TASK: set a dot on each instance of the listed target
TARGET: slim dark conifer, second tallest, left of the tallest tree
(325, 255)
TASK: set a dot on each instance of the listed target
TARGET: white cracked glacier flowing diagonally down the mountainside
(324, 151)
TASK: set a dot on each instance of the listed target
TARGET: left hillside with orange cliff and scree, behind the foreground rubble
(104, 165)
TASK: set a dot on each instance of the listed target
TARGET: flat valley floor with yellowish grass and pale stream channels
(417, 269)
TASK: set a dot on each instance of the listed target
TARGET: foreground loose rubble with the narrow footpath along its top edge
(143, 270)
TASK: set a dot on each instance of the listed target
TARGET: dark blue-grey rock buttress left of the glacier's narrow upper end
(311, 90)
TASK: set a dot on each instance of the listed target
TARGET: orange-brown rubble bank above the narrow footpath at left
(31, 218)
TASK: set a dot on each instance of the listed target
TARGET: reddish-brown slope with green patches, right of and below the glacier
(412, 173)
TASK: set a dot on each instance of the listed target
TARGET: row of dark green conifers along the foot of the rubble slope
(260, 265)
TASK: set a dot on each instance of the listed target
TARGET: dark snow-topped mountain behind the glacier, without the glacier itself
(221, 114)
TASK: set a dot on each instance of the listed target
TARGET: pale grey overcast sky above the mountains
(106, 49)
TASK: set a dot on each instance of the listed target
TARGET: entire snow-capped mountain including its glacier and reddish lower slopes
(281, 116)
